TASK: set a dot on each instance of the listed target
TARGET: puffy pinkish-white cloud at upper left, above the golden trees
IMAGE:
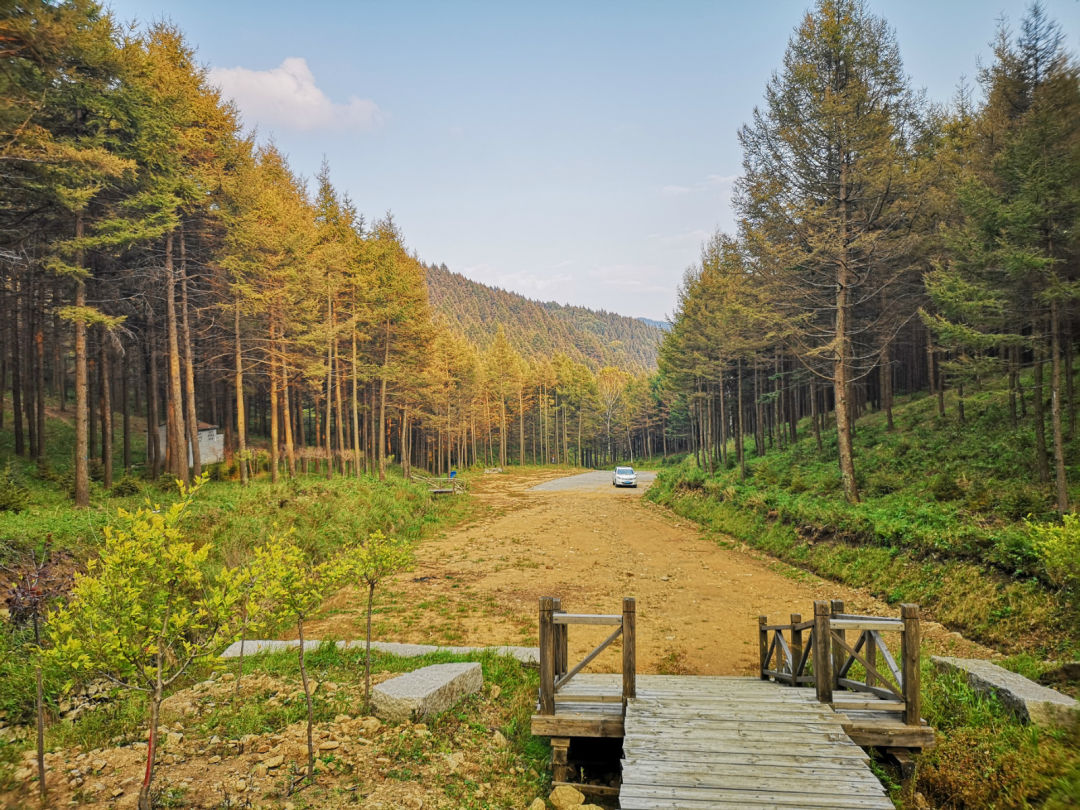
(288, 98)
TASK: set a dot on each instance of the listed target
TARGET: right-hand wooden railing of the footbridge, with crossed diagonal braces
(819, 653)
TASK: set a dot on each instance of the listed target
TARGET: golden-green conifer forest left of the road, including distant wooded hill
(157, 262)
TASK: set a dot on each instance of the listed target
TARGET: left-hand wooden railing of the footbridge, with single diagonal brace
(556, 672)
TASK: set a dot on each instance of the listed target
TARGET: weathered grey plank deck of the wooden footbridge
(700, 742)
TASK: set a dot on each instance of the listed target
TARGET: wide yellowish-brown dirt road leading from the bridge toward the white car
(582, 539)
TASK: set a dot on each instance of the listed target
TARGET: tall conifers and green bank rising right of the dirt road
(889, 249)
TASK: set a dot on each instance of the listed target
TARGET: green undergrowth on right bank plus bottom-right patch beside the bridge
(951, 520)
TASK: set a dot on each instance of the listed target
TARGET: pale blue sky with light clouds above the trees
(571, 152)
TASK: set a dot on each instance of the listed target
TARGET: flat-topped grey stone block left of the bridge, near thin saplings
(426, 692)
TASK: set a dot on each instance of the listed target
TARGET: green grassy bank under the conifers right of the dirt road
(943, 521)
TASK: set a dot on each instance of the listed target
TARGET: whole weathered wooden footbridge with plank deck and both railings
(793, 737)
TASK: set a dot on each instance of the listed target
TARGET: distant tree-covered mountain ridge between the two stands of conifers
(541, 329)
